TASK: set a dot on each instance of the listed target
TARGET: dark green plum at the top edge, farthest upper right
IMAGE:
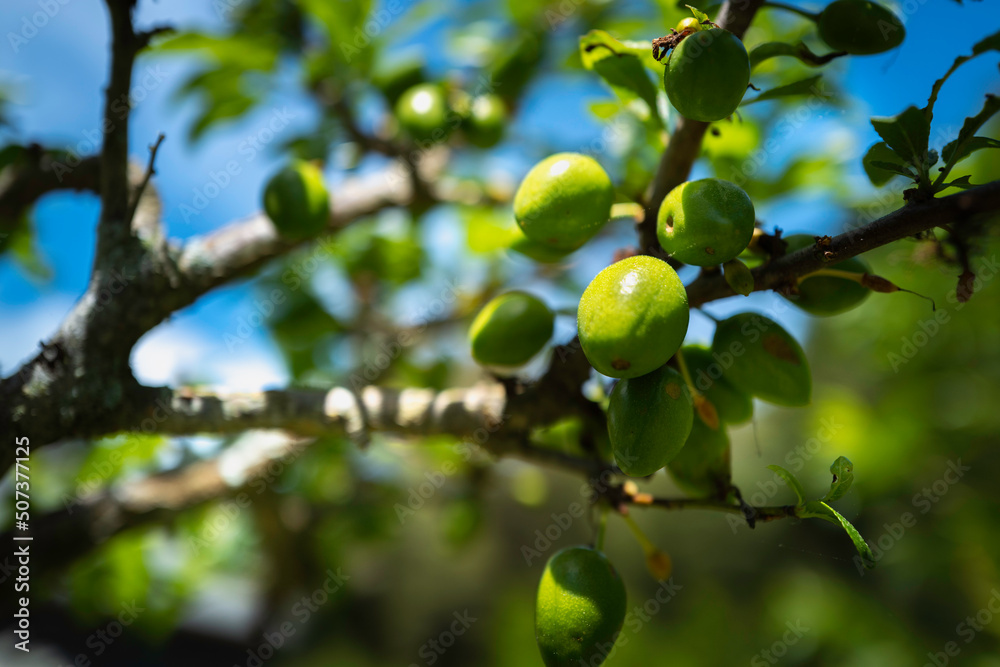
(860, 27)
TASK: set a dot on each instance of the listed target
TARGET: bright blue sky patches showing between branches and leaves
(56, 76)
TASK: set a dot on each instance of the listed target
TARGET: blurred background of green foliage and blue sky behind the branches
(319, 566)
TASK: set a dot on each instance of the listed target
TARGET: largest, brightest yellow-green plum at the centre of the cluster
(632, 317)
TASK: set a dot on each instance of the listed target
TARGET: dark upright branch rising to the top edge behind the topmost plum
(685, 141)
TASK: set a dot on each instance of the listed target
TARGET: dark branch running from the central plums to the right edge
(912, 219)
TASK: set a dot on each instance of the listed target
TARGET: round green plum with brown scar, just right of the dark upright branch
(705, 222)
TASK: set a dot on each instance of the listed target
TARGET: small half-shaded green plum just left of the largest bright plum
(510, 330)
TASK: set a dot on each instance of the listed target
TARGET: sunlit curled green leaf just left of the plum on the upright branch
(619, 67)
